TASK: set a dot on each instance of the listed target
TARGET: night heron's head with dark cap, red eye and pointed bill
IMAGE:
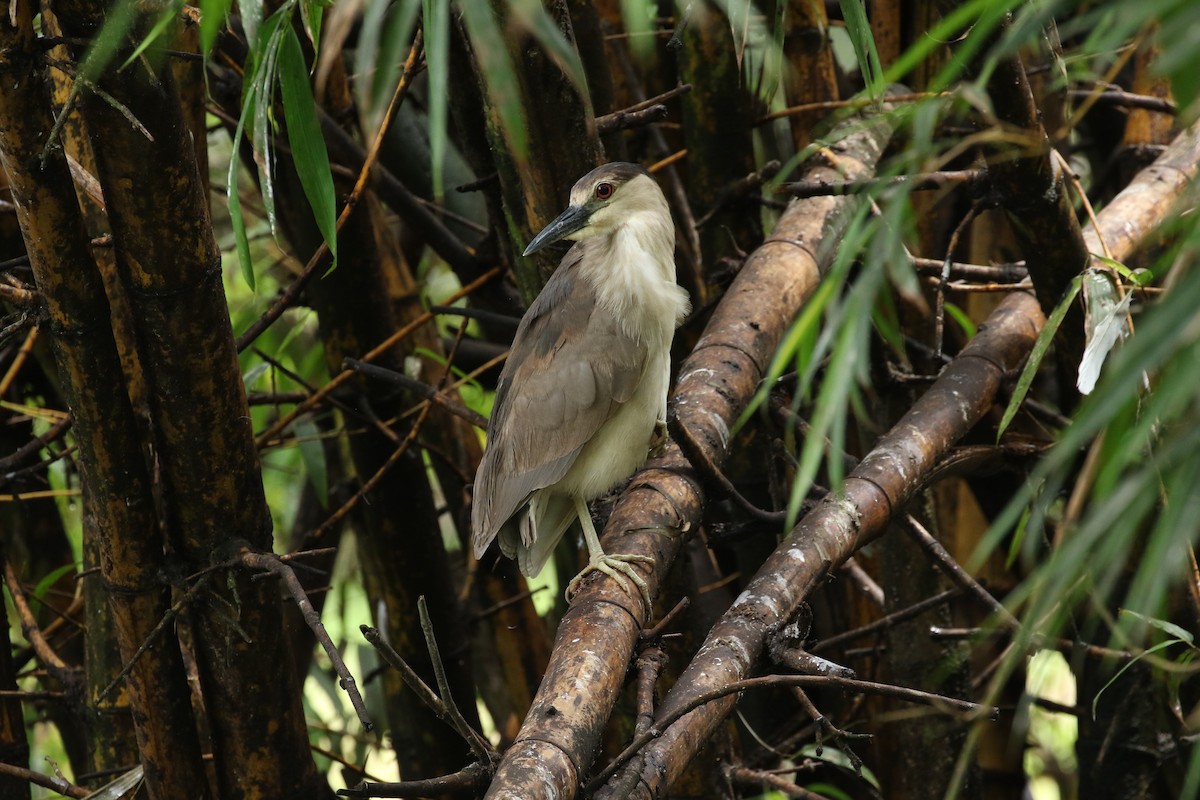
(602, 201)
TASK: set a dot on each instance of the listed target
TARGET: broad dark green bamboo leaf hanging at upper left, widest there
(308, 145)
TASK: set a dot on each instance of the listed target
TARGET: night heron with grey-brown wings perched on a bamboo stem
(584, 393)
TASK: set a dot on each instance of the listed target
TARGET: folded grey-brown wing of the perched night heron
(569, 370)
